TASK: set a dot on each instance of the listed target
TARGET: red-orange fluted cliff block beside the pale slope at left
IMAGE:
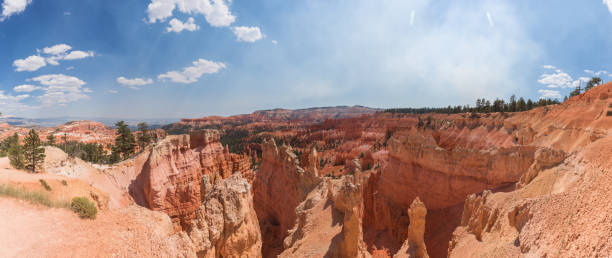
(172, 175)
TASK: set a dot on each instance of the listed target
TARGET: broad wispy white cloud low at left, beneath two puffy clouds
(61, 89)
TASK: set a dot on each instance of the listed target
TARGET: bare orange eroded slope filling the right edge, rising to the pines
(556, 209)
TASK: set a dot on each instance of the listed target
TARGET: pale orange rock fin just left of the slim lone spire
(330, 214)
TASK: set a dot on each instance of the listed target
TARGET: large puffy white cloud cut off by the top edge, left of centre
(216, 12)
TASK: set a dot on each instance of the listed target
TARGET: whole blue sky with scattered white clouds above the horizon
(190, 58)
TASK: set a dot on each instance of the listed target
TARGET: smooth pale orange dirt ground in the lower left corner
(28, 230)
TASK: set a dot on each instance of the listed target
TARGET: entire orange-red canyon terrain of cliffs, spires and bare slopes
(341, 182)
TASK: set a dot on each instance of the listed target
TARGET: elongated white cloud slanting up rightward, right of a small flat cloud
(192, 73)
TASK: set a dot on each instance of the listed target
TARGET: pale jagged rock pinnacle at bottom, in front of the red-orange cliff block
(226, 225)
